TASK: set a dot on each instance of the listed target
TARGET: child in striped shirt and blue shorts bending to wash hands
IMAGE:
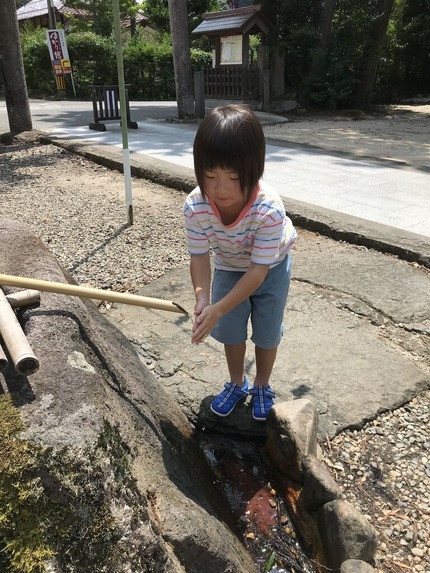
(243, 221)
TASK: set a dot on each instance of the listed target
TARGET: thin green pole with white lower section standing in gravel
(122, 101)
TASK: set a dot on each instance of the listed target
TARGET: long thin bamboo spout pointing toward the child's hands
(87, 292)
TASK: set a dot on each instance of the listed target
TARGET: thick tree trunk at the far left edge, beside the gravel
(18, 108)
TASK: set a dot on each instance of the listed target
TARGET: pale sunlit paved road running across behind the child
(371, 190)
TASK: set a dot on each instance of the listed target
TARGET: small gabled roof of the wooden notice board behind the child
(237, 21)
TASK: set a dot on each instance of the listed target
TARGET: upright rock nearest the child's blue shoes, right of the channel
(291, 435)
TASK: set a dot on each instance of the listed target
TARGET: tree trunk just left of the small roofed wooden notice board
(181, 58)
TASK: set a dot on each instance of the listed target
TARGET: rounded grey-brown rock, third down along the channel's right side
(345, 534)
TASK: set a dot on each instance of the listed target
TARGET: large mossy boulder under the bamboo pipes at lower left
(121, 483)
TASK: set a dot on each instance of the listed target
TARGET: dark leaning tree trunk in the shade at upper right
(376, 42)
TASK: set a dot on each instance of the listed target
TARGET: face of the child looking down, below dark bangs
(223, 187)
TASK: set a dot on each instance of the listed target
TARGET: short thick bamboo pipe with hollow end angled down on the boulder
(16, 342)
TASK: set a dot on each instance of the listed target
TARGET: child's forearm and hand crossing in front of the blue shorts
(211, 313)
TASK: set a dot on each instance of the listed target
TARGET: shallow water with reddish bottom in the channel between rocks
(261, 514)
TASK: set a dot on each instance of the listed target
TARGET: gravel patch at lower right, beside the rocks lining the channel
(384, 471)
